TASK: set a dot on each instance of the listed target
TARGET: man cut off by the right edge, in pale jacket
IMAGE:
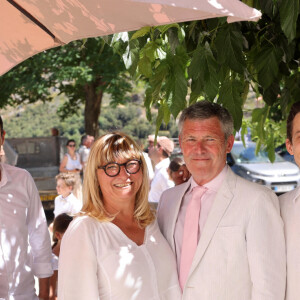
(290, 210)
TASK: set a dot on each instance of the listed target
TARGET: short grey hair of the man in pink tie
(203, 110)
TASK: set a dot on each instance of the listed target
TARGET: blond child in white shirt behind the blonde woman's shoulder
(66, 202)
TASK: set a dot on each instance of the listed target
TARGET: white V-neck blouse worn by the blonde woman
(98, 261)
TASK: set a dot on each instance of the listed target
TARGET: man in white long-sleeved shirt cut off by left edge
(25, 247)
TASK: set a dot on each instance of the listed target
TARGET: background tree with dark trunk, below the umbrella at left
(81, 70)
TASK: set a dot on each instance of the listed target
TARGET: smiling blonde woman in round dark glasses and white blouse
(115, 250)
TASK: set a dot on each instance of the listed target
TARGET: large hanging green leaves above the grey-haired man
(211, 59)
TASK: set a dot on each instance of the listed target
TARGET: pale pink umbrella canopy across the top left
(28, 27)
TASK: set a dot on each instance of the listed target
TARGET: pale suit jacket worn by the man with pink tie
(241, 251)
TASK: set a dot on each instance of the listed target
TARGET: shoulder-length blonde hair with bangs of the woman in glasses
(109, 148)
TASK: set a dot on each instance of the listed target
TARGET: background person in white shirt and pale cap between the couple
(160, 154)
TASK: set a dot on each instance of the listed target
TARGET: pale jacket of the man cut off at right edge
(290, 212)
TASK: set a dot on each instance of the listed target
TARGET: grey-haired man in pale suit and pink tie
(240, 250)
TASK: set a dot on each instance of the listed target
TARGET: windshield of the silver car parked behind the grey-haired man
(247, 155)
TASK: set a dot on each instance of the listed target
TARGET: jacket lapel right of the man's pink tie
(219, 207)
